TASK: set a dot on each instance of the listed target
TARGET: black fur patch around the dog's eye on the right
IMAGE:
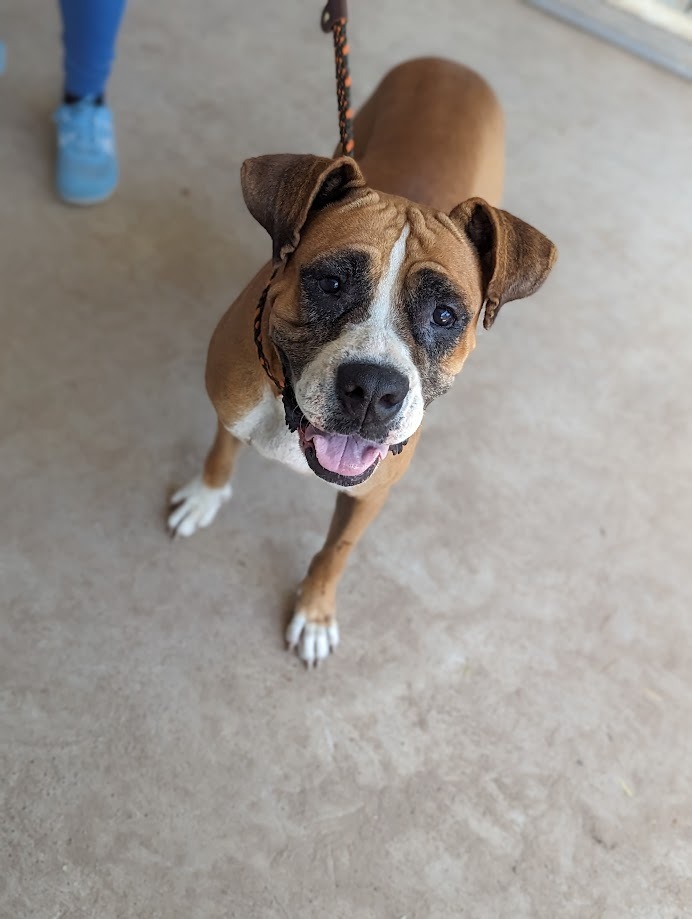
(431, 295)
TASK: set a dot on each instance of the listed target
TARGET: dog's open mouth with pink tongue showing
(343, 459)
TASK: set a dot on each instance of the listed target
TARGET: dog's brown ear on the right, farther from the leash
(514, 257)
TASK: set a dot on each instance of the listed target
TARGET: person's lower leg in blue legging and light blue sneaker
(87, 165)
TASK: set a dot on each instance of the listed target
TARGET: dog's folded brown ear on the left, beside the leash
(280, 190)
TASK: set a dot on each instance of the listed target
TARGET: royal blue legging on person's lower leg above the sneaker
(90, 29)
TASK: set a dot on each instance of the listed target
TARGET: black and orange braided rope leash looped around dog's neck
(334, 20)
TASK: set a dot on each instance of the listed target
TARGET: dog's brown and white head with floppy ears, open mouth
(375, 310)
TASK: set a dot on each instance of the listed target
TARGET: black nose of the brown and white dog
(371, 393)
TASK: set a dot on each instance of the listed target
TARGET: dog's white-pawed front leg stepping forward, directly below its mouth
(313, 630)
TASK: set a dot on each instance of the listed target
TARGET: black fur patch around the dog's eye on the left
(336, 285)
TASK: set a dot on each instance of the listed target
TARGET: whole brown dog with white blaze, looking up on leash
(381, 269)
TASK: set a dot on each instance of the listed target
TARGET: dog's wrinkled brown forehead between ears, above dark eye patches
(392, 235)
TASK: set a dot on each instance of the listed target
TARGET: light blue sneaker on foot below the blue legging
(87, 162)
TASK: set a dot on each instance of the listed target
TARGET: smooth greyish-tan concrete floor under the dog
(507, 728)
